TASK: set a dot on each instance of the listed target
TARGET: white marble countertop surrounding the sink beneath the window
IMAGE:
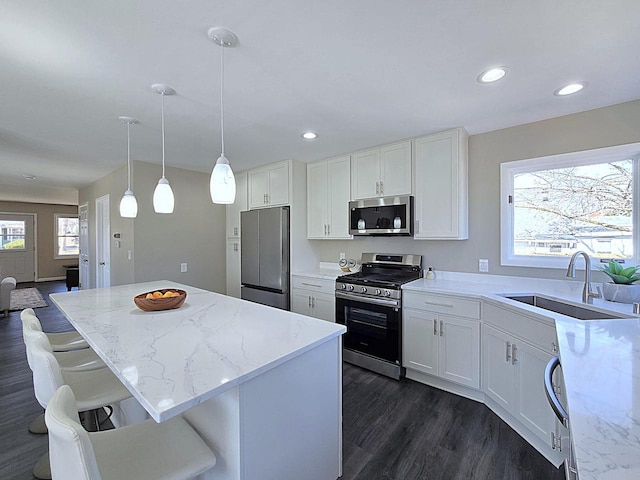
(600, 364)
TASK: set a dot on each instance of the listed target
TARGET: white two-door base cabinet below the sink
(513, 373)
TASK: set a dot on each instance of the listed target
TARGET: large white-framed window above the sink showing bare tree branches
(552, 207)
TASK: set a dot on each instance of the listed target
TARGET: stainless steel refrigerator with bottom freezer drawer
(264, 274)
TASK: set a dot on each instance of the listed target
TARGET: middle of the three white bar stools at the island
(93, 389)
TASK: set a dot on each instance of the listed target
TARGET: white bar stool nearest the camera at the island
(148, 450)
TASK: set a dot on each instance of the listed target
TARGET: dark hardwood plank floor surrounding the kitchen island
(392, 430)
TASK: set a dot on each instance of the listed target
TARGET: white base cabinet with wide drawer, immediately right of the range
(441, 337)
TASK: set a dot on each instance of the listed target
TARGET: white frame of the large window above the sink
(587, 157)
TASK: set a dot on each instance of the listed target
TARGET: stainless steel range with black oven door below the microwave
(369, 304)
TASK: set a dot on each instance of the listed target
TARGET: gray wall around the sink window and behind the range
(615, 125)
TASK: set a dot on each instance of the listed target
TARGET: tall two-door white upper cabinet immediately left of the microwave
(328, 187)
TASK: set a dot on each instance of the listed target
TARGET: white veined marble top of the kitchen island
(175, 359)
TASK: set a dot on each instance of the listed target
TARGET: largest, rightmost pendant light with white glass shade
(222, 185)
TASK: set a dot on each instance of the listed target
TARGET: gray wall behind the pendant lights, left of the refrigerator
(193, 234)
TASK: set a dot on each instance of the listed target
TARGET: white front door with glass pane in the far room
(17, 246)
